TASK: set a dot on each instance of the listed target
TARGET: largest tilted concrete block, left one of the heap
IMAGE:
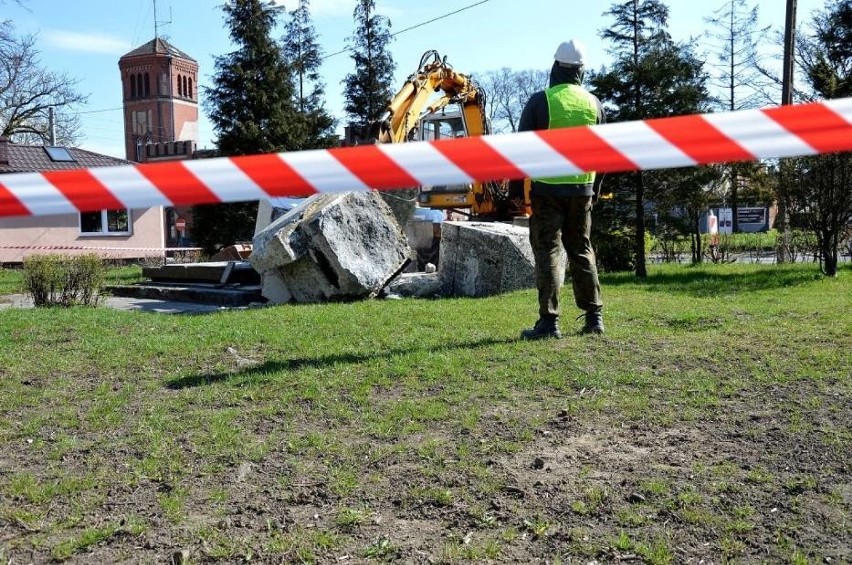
(330, 247)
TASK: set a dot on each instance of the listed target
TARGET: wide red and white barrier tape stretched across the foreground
(683, 141)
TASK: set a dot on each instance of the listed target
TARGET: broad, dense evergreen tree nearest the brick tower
(251, 107)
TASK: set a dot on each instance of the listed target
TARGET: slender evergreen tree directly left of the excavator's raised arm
(369, 87)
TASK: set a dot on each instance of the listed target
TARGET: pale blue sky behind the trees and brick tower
(85, 39)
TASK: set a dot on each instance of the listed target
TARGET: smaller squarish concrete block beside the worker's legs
(484, 259)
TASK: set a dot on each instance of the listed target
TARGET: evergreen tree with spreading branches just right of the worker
(652, 77)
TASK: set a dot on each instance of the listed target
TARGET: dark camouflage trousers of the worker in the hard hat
(559, 223)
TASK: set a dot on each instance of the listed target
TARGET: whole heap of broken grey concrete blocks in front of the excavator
(349, 246)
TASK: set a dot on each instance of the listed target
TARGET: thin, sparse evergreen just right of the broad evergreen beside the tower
(302, 51)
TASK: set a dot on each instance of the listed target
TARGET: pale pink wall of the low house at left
(56, 234)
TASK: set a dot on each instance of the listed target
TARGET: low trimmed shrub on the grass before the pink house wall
(61, 280)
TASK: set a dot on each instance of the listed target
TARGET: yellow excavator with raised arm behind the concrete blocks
(436, 102)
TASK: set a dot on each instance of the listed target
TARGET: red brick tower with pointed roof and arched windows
(160, 94)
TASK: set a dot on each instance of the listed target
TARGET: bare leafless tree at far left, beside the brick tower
(28, 91)
